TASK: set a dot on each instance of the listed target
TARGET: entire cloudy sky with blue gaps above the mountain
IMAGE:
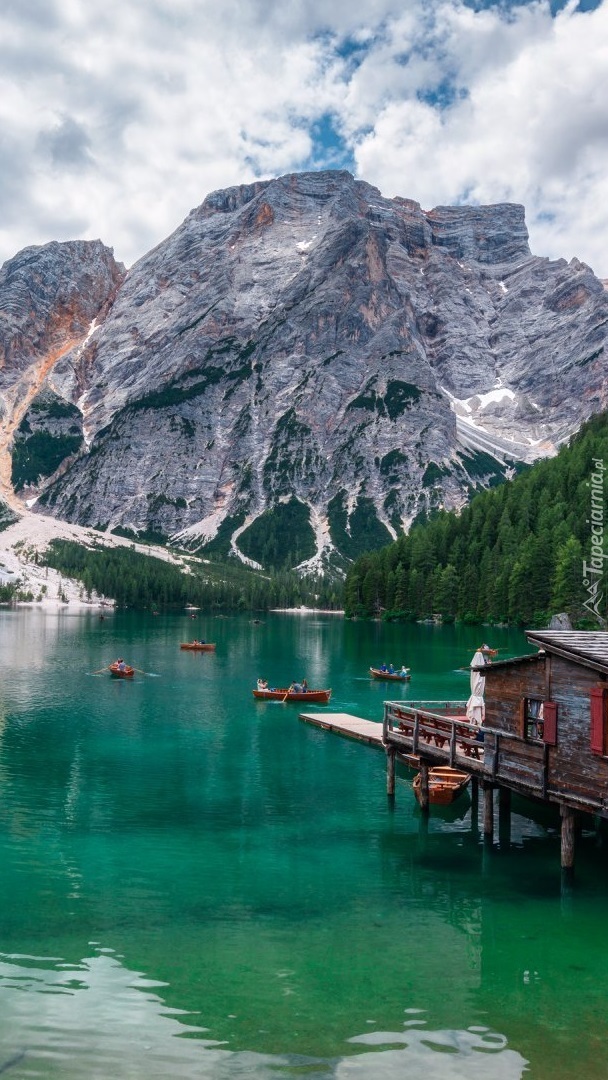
(120, 116)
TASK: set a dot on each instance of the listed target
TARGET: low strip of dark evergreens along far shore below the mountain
(142, 582)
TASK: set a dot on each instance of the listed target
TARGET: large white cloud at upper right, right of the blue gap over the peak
(528, 125)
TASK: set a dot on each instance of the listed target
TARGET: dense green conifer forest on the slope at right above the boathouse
(514, 556)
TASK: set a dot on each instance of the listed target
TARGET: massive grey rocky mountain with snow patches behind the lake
(296, 374)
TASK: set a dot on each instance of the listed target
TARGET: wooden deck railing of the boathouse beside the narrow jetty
(438, 728)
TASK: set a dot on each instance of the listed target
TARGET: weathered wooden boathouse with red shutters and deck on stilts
(545, 733)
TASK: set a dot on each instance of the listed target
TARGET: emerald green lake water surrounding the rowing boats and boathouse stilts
(196, 885)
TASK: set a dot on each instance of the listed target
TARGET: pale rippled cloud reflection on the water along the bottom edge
(98, 1019)
